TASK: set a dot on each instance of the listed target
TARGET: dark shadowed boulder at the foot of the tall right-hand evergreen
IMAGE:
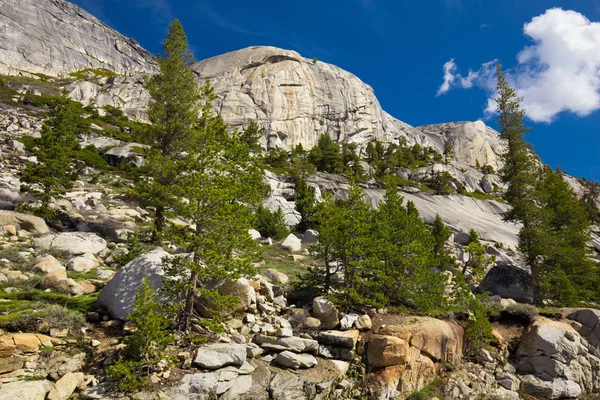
(508, 281)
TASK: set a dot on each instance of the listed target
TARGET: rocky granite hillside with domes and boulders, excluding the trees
(68, 285)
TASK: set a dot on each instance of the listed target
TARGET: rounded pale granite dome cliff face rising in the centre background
(296, 100)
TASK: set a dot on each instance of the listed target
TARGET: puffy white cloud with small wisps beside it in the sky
(559, 72)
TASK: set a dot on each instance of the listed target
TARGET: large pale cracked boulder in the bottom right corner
(556, 361)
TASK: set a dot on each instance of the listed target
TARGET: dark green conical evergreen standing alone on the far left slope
(53, 173)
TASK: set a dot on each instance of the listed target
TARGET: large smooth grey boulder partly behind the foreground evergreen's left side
(118, 295)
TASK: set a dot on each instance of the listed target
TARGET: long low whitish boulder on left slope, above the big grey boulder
(72, 242)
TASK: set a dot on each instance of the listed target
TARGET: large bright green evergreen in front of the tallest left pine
(221, 185)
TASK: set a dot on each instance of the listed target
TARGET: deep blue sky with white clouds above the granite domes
(402, 48)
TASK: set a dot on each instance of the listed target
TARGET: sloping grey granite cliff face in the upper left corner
(55, 37)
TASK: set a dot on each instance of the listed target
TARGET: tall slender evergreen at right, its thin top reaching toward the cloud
(520, 174)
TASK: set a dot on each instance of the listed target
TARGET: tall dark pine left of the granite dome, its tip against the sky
(173, 113)
